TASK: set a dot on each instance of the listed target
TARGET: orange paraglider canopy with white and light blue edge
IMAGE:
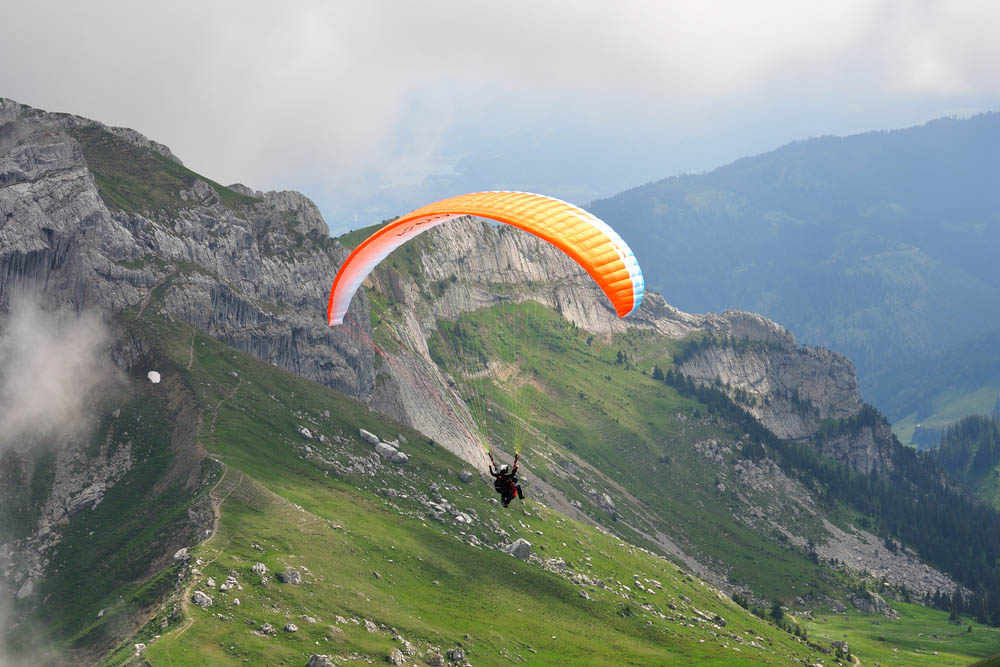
(590, 242)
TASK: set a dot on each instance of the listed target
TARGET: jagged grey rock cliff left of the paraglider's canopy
(251, 272)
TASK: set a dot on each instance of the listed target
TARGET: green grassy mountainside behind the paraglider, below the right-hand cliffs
(640, 433)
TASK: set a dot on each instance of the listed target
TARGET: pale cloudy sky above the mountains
(373, 108)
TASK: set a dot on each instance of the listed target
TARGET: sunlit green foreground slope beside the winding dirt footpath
(293, 506)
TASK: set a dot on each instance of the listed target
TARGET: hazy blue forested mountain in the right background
(880, 245)
